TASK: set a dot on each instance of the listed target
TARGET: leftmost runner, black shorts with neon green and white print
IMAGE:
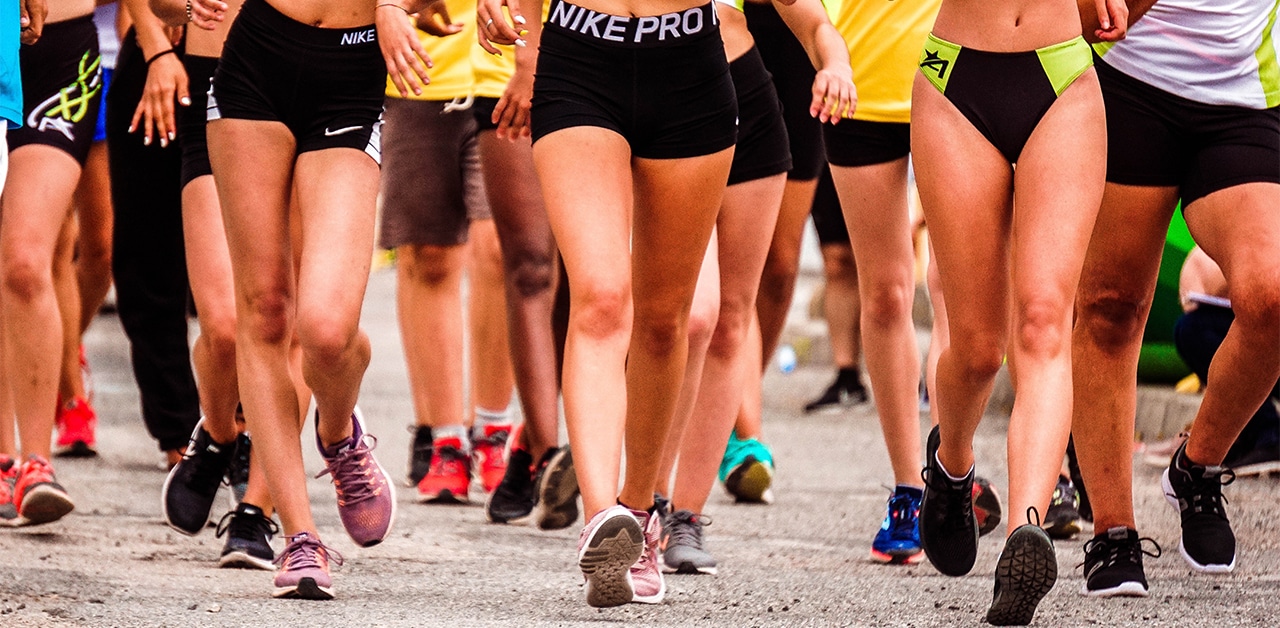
(62, 89)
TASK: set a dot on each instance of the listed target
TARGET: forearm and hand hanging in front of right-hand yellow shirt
(834, 93)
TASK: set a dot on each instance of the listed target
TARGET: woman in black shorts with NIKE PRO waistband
(634, 131)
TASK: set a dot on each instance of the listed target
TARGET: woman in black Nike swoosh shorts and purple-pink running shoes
(295, 112)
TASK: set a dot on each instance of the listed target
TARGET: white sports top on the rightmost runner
(1213, 52)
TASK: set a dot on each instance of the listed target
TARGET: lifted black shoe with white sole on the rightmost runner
(1196, 493)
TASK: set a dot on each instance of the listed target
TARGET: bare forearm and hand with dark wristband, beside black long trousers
(167, 79)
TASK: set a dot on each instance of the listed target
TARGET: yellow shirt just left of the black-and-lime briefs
(885, 39)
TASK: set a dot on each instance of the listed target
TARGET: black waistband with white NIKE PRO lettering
(630, 31)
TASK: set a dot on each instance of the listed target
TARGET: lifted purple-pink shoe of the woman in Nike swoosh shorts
(367, 498)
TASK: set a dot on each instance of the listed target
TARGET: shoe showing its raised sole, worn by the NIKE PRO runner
(610, 544)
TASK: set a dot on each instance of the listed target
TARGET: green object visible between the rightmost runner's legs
(1159, 361)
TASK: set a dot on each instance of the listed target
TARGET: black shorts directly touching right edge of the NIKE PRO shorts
(762, 137)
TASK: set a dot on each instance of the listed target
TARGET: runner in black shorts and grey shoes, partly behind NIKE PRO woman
(744, 230)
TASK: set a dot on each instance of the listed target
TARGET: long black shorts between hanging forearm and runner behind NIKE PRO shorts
(793, 77)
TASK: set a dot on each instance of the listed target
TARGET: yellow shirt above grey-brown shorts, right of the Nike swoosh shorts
(451, 75)
